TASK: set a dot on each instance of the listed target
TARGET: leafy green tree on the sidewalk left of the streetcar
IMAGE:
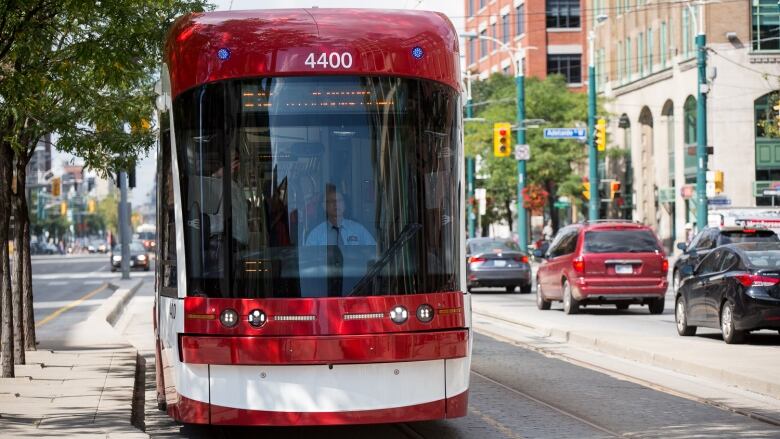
(84, 70)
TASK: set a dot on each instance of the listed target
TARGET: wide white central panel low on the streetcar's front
(321, 389)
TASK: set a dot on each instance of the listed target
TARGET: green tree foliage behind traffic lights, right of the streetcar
(551, 160)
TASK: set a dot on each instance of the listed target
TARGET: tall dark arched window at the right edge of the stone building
(767, 149)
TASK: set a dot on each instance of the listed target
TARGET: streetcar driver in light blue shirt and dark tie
(337, 230)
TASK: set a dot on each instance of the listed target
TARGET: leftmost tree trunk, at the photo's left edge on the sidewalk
(6, 326)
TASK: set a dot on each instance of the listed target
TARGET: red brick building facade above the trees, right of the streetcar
(552, 31)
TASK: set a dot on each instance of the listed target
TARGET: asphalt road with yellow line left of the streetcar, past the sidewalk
(67, 289)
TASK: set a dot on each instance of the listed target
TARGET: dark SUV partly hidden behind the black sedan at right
(712, 237)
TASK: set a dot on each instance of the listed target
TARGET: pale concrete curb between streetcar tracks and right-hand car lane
(747, 382)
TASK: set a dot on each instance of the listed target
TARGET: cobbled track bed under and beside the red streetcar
(515, 393)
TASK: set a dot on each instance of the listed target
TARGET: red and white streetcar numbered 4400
(310, 265)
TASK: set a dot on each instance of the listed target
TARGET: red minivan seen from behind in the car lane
(603, 262)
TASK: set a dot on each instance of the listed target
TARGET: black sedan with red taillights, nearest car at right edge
(735, 288)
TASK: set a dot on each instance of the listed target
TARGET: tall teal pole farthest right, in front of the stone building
(701, 121)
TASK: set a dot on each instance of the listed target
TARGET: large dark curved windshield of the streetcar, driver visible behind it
(319, 187)
